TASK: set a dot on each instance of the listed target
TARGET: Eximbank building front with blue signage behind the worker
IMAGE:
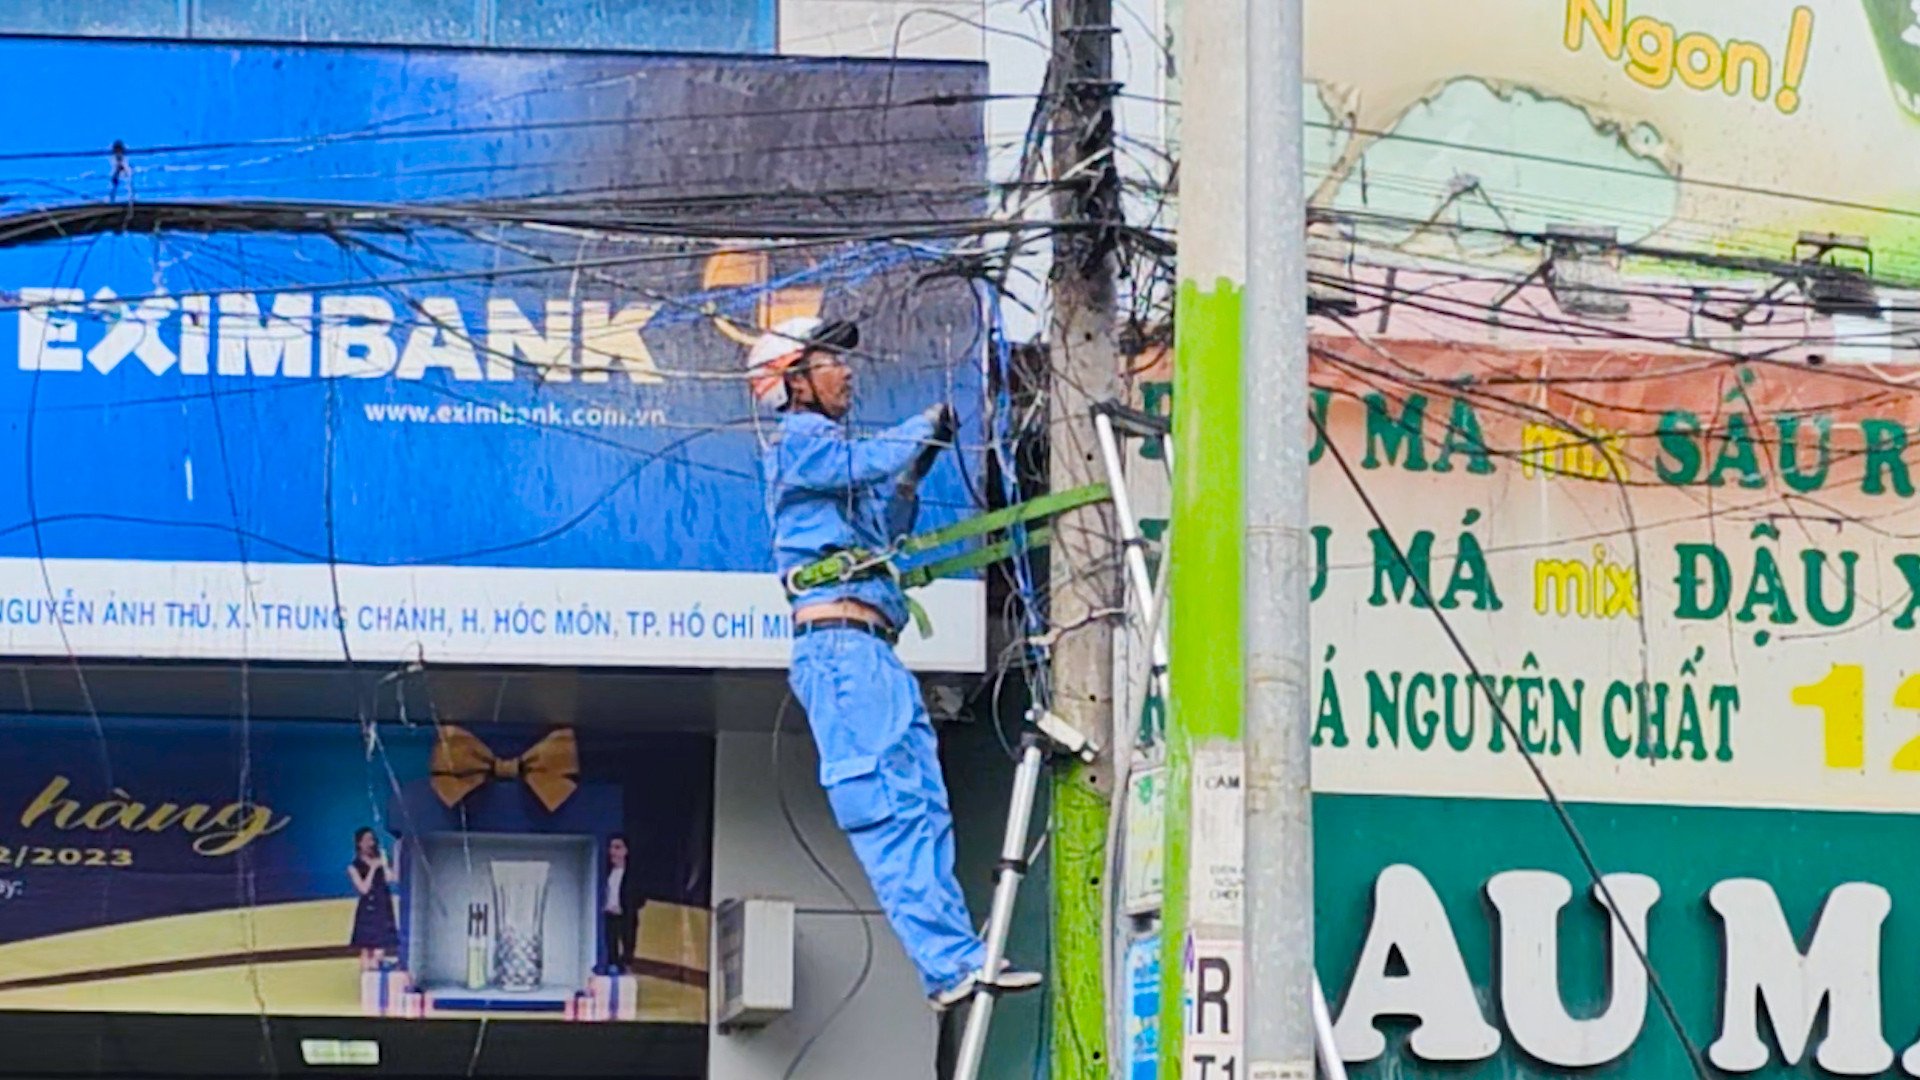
(318, 585)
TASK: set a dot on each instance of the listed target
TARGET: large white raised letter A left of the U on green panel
(1437, 991)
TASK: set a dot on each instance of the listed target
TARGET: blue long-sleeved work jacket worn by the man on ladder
(828, 491)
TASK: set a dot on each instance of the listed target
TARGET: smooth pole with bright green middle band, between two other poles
(1203, 933)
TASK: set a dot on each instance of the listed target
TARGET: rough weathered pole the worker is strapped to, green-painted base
(1084, 560)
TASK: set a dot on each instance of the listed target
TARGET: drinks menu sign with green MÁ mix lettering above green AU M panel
(1685, 606)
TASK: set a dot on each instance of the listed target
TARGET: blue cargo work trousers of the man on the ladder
(882, 772)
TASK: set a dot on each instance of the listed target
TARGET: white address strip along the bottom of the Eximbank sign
(516, 616)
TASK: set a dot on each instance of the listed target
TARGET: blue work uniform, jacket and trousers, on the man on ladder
(878, 756)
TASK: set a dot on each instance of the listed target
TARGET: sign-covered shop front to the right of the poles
(1612, 368)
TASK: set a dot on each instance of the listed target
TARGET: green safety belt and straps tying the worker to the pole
(857, 564)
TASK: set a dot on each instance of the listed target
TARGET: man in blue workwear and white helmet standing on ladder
(878, 756)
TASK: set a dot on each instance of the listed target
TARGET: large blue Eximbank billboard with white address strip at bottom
(318, 353)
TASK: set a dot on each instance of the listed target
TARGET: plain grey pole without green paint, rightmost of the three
(1280, 768)
